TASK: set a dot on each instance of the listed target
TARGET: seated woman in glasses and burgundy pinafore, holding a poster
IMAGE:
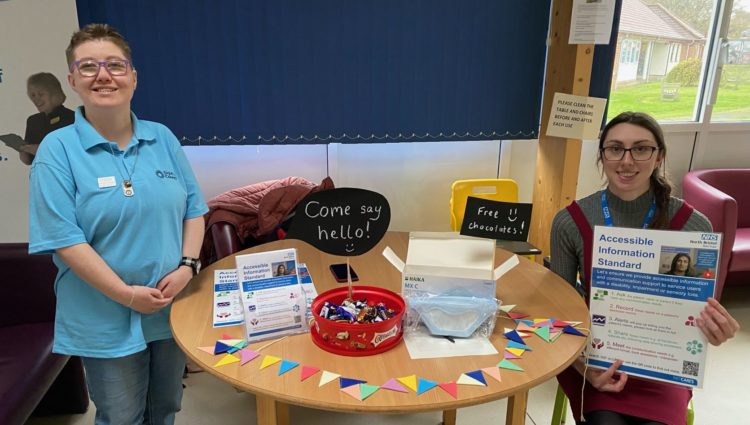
(631, 151)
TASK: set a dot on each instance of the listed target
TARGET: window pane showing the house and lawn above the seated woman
(661, 45)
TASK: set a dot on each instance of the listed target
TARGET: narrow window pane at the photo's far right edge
(733, 97)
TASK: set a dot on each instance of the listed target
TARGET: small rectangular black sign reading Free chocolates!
(496, 220)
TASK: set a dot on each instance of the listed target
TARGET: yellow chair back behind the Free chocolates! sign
(504, 190)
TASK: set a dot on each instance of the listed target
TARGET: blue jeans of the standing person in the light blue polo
(142, 388)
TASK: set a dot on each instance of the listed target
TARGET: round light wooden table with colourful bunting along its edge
(535, 290)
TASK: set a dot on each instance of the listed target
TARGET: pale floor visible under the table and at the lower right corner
(722, 401)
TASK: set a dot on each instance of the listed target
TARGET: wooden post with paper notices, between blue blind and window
(558, 159)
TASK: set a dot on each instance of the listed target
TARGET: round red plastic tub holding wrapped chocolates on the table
(354, 339)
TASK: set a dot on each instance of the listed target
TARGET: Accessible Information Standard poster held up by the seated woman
(647, 288)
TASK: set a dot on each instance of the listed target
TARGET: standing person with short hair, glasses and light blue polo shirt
(114, 198)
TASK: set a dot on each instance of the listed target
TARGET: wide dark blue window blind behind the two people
(347, 71)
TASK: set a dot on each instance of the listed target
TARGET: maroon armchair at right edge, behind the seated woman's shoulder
(723, 195)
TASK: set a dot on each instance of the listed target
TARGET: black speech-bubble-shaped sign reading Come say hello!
(344, 221)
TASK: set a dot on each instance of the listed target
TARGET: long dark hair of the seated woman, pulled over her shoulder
(659, 183)
